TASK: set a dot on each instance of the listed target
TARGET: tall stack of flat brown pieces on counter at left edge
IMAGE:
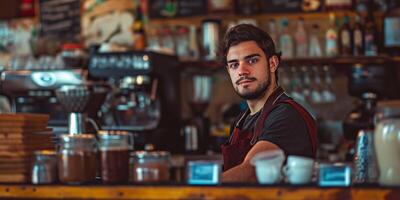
(20, 136)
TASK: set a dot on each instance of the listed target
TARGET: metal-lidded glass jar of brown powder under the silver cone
(77, 161)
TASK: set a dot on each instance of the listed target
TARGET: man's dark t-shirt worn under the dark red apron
(285, 127)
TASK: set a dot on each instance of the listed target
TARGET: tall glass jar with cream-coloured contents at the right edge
(387, 142)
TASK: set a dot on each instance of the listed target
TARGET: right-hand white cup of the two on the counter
(298, 169)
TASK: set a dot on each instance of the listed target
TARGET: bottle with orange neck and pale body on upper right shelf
(331, 38)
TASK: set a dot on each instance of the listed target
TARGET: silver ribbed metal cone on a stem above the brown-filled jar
(78, 100)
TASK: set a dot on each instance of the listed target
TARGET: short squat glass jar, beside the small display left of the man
(150, 166)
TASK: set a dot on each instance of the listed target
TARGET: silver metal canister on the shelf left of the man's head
(211, 37)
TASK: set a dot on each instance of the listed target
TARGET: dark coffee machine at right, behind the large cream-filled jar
(368, 83)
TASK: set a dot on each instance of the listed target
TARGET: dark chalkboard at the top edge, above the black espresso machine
(177, 8)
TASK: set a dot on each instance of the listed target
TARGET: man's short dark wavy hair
(248, 32)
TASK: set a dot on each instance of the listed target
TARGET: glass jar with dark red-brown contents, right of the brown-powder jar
(114, 155)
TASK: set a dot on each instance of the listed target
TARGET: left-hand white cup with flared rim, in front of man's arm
(268, 165)
